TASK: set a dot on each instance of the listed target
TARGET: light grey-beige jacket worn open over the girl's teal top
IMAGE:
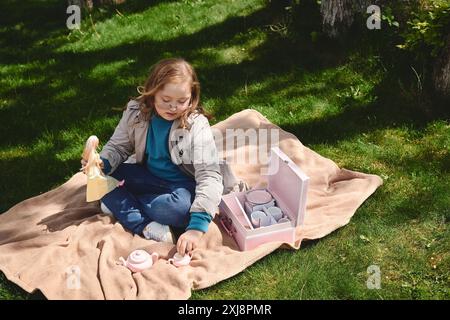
(192, 149)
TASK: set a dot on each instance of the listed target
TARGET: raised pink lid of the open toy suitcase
(288, 183)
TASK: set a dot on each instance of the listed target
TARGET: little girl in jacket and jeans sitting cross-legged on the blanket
(176, 179)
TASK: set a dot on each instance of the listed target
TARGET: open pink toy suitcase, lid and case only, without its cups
(288, 185)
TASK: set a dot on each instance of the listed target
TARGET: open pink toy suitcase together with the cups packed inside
(271, 214)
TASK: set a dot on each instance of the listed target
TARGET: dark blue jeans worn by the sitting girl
(144, 198)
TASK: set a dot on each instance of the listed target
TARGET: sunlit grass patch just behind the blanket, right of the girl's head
(301, 96)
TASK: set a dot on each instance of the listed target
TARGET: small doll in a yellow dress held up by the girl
(97, 183)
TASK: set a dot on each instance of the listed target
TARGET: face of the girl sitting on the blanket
(172, 100)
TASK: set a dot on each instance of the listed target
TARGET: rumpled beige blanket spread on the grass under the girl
(63, 246)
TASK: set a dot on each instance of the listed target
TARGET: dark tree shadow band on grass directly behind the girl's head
(274, 57)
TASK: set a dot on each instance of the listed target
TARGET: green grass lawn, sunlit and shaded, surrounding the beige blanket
(57, 87)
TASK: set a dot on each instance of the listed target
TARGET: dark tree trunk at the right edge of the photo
(441, 72)
